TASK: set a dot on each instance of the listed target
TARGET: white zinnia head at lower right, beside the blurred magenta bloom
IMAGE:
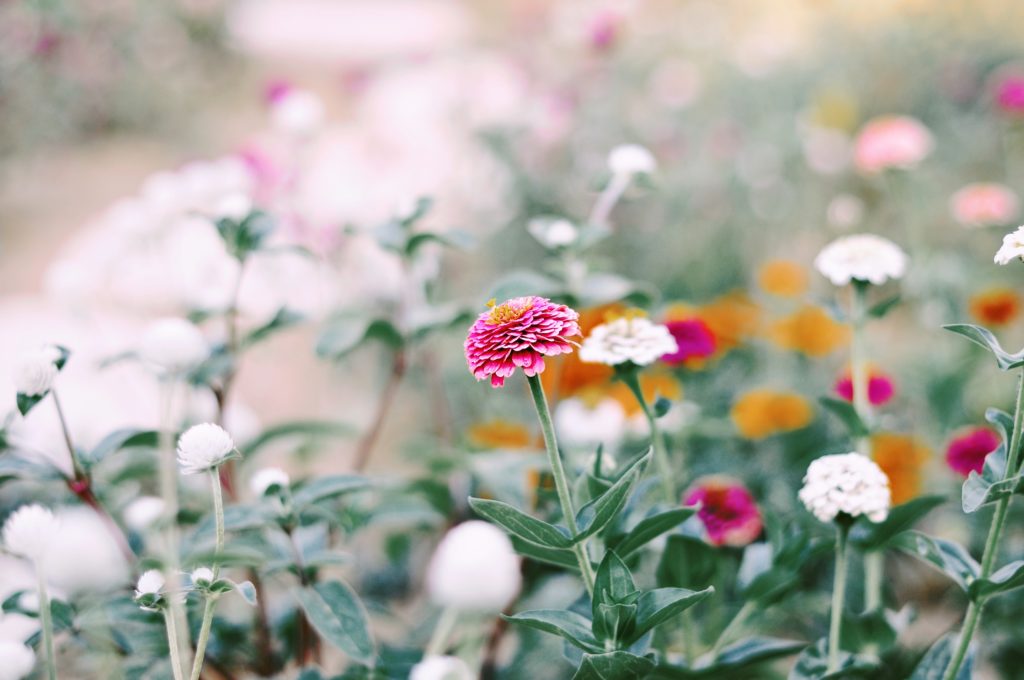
(848, 484)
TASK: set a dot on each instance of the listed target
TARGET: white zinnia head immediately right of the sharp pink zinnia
(633, 339)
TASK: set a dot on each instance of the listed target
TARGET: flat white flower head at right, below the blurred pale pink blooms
(862, 258)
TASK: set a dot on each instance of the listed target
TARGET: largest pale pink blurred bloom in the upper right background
(891, 142)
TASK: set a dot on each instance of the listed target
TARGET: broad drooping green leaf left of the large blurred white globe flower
(339, 618)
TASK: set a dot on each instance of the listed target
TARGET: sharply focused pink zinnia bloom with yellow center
(521, 333)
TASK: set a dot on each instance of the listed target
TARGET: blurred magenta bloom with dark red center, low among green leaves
(730, 515)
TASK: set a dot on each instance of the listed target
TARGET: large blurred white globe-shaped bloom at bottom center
(475, 569)
